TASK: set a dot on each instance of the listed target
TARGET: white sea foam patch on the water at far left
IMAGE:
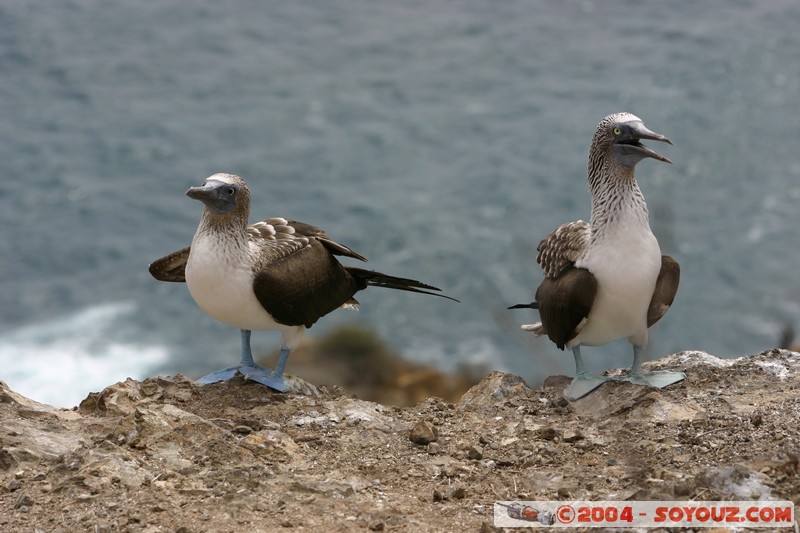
(61, 360)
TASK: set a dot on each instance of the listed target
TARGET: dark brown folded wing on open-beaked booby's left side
(564, 303)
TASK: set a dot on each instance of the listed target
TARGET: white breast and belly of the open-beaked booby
(626, 264)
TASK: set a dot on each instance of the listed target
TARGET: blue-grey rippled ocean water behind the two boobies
(440, 139)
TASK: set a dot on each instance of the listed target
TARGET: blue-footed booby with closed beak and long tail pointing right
(277, 274)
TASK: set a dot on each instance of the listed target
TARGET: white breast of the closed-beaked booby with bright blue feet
(220, 280)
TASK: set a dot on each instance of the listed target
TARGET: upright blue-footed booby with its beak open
(607, 280)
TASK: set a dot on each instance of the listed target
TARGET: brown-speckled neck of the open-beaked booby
(616, 197)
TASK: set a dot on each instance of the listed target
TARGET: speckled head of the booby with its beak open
(621, 135)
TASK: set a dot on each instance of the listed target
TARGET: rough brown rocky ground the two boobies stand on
(165, 455)
